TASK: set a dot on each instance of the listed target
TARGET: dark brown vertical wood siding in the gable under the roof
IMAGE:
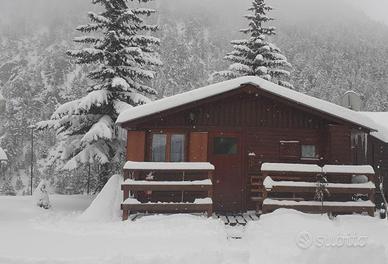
(241, 110)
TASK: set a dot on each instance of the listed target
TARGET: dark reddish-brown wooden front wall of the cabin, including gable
(272, 129)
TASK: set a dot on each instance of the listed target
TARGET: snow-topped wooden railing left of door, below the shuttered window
(161, 187)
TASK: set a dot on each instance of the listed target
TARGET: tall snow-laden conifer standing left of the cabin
(119, 48)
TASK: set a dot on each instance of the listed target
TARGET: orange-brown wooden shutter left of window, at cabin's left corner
(135, 145)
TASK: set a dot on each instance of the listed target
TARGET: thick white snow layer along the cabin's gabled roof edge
(222, 87)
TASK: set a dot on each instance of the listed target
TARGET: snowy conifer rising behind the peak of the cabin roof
(256, 55)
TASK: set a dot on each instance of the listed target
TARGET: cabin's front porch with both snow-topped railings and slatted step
(187, 187)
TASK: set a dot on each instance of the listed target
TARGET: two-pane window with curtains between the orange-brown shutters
(168, 147)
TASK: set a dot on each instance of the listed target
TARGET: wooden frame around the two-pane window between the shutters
(168, 134)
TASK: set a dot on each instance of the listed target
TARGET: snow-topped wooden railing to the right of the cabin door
(299, 194)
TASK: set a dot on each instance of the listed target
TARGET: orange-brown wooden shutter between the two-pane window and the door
(198, 146)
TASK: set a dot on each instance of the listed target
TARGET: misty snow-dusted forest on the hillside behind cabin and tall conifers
(332, 47)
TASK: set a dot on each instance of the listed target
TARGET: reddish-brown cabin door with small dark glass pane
(225, 155)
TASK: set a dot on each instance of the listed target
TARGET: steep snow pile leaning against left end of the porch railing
(106, 206)
